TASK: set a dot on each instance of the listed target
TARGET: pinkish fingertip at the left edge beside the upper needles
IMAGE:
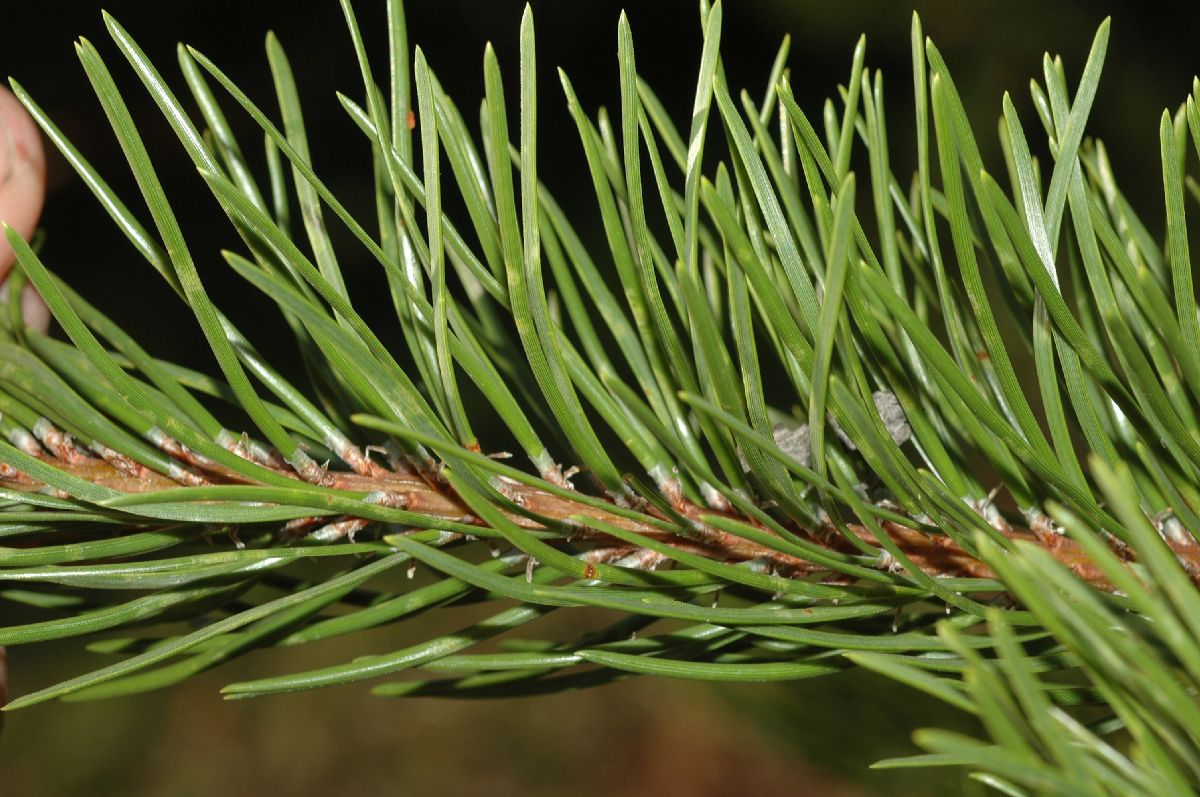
(22, 190)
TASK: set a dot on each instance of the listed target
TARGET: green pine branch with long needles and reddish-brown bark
(783, 420)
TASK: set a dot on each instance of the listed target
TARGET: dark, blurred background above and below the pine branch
(637, 738)
